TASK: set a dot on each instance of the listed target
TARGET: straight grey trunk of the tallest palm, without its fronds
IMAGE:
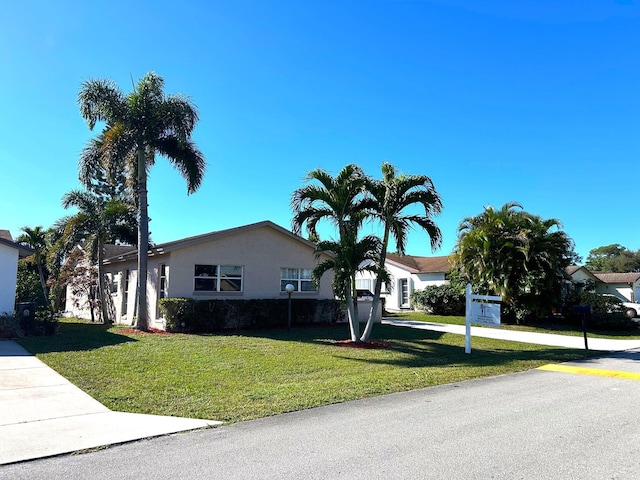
(143, 241)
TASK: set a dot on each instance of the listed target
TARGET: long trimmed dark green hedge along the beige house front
(207, 316)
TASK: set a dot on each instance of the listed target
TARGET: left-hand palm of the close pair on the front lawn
(338, 200)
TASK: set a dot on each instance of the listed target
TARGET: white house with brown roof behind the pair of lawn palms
(408, 273)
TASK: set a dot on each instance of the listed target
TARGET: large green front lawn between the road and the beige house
(250, 374)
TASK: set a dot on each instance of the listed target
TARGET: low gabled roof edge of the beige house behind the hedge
(189, 241)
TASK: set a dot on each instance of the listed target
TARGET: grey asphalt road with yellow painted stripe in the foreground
(537, 424)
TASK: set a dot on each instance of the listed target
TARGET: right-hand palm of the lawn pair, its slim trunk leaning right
(390, 197)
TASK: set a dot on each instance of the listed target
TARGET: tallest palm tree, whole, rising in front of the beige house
(138, 126)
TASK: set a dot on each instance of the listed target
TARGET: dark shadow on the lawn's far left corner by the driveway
(74, 337)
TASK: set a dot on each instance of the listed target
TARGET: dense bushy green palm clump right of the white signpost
(517, 255)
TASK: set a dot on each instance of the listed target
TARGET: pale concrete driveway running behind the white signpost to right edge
(599, 344)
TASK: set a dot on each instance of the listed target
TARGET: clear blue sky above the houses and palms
(530, 101)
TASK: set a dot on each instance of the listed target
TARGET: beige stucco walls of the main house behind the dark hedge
(248, 262)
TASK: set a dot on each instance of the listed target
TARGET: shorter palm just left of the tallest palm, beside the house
(97, 222)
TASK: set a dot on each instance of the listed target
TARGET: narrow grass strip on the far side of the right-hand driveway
(555, 328)
